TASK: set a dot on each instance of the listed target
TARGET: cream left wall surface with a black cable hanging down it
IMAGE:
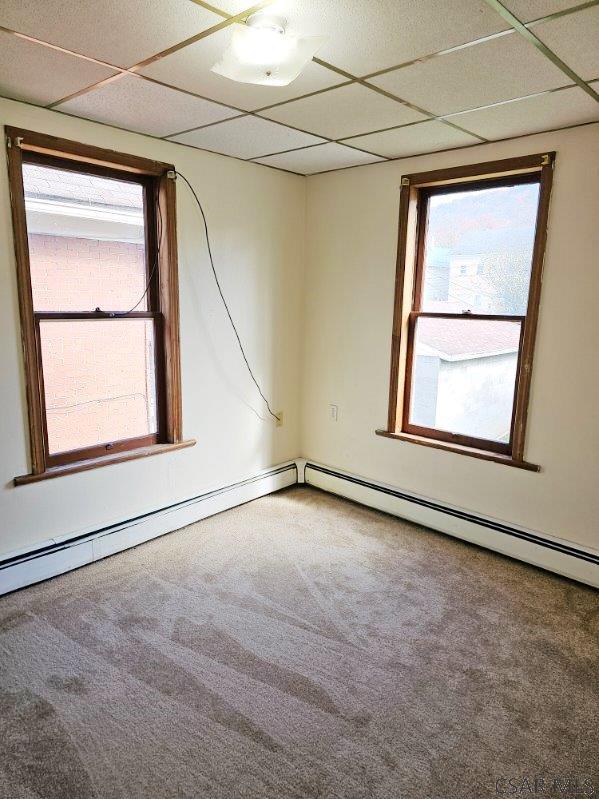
(257, 226)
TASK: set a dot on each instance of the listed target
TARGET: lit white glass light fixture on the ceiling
(262, 52)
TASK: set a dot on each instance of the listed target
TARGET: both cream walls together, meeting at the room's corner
(260, 220)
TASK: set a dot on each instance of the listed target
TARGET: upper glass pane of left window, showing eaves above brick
(86, 241)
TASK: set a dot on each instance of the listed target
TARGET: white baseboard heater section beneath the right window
(547, 552)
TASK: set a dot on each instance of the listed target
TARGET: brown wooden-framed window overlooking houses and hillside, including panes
(467, 293)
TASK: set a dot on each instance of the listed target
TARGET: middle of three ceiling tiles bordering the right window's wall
(425, 137)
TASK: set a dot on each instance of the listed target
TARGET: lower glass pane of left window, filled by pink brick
(99, 381)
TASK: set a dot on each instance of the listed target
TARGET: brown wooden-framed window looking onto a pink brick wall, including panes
(96, 258)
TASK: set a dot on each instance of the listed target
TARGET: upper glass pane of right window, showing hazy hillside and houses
(478, 250)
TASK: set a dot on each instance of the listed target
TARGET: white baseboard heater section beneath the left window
(57, 557)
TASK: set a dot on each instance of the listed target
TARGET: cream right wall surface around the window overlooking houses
(351, 249)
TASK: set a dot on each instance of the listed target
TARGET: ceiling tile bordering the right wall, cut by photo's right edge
(531, 115)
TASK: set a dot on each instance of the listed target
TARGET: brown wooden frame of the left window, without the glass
(25, 146)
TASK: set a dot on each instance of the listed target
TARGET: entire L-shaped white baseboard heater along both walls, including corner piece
(57, 557)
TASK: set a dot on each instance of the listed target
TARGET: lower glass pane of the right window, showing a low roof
(463, 376)
